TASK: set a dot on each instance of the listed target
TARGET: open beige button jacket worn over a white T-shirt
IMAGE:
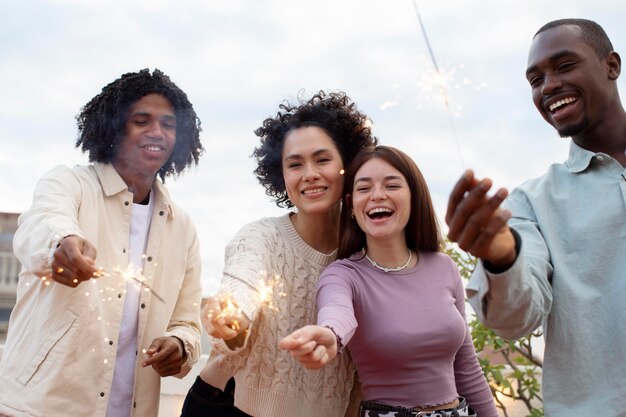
(60, 351)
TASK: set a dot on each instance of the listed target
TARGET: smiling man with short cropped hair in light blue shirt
(554, 253)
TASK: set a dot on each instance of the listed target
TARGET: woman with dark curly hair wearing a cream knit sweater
(301, 158)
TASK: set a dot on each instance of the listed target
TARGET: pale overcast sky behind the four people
(237, 60)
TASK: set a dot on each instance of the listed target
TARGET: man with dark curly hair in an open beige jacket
(109, 292)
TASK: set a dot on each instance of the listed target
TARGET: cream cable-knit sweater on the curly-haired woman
(269, 382)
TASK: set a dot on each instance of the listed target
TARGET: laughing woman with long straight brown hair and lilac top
(395, 300)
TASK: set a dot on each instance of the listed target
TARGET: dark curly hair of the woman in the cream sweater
(332, 111)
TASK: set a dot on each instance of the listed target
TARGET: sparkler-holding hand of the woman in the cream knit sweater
(222, 318)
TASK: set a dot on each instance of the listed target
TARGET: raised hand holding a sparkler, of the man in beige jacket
(74, 261)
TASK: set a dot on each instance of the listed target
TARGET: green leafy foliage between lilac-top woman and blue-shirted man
(511, 367)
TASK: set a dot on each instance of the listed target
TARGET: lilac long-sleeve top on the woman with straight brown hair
(406, 331)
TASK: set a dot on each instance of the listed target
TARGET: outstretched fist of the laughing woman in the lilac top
(314, 346)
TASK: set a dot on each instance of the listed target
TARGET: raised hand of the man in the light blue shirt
(477, 222)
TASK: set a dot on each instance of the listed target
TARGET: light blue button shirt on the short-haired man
(570, 277)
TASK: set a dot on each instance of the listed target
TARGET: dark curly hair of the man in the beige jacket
(102, 121)
